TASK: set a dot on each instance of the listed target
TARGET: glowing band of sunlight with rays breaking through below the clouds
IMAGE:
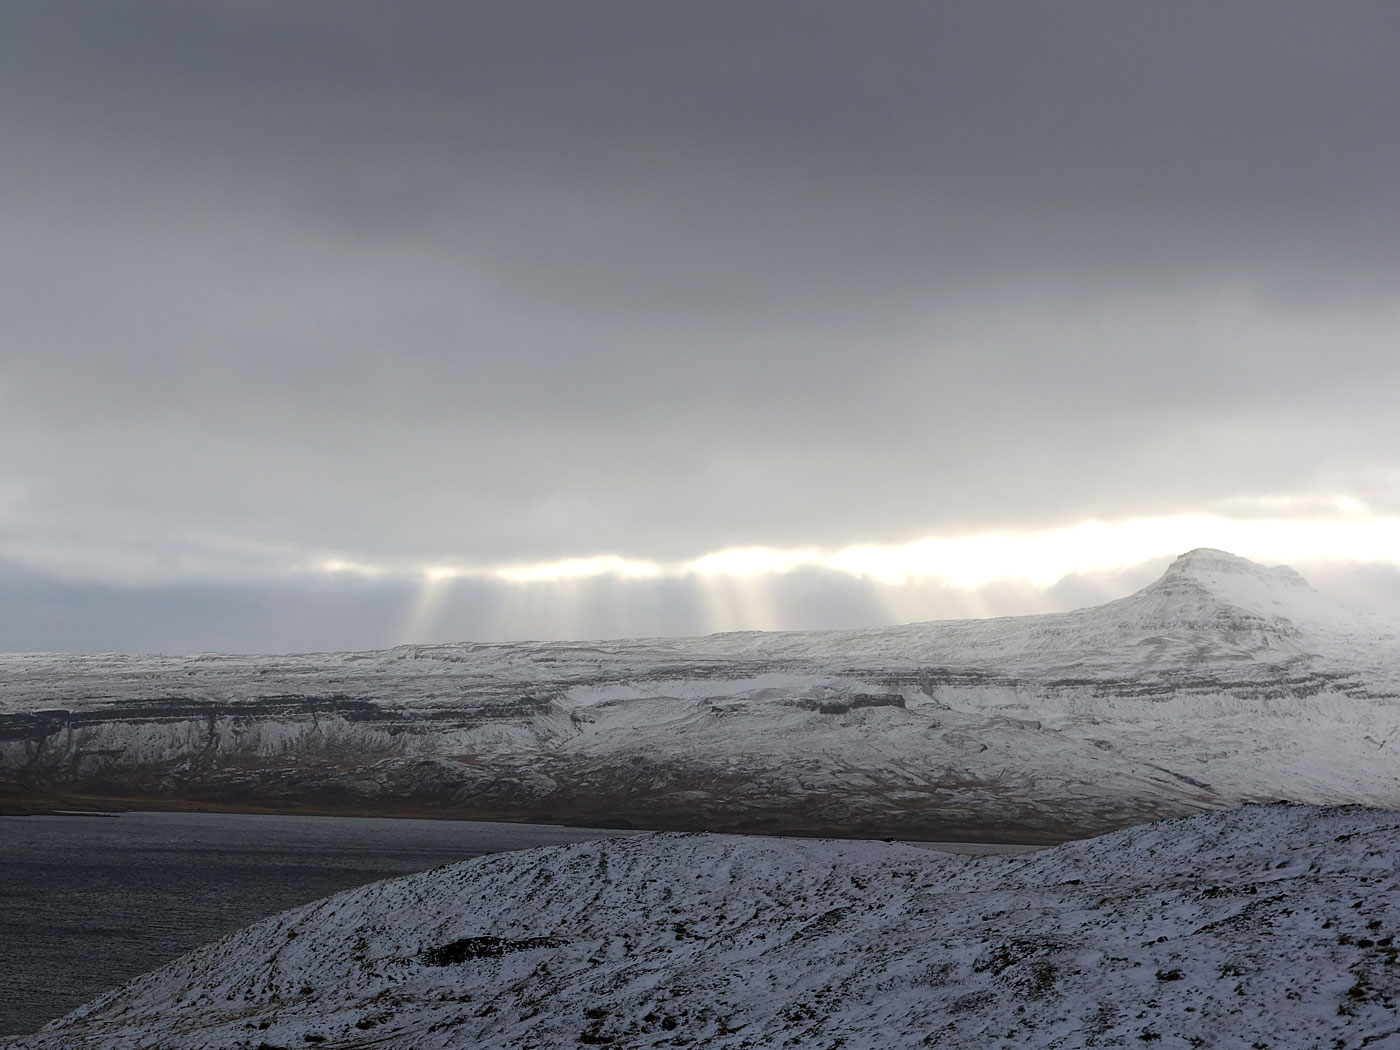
(934, 577)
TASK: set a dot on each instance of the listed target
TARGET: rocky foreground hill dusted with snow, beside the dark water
(1256, 927)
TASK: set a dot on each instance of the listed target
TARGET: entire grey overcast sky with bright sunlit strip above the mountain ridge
(339, 325)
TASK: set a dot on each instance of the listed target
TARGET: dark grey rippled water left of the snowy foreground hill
(90, 902)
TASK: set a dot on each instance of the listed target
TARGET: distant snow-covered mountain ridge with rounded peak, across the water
(1221, 682)
